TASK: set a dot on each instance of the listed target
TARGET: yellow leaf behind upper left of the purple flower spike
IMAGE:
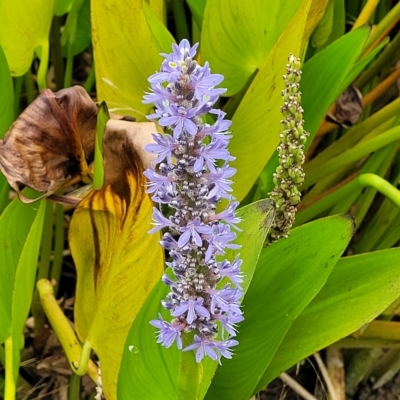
(126, 53)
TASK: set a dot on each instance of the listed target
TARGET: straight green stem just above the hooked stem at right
(351, 155)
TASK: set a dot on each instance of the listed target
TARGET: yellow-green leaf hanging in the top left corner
(24, 27)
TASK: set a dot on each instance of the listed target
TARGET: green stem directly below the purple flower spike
(190, 374)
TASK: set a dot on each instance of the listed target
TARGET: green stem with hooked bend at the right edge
(364, 180)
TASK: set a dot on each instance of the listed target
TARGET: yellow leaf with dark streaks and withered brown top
(117, 261)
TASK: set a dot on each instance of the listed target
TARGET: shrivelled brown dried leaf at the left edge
(55, 134)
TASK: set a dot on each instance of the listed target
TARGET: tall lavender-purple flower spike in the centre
(191, 175)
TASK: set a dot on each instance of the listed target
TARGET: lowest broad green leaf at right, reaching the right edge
(357, 291)
